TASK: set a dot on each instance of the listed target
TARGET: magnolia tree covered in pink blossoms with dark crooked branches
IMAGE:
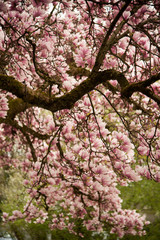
(80, 97)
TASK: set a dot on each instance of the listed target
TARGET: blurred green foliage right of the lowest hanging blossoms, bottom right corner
(145, 197)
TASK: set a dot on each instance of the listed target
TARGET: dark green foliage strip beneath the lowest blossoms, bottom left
(22, 230)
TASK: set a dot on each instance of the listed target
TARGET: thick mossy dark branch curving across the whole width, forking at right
(53, 104)
